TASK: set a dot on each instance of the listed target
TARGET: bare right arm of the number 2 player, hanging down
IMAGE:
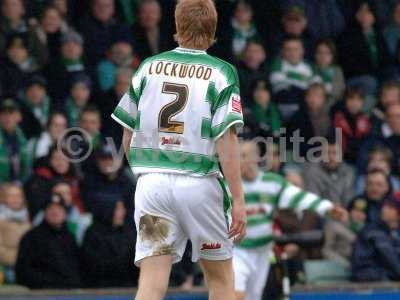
(228, 152)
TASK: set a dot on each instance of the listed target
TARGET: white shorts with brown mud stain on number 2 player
(171, 209)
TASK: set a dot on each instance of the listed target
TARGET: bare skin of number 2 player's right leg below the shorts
(219, 278)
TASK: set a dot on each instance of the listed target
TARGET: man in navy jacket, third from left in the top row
(99, 29)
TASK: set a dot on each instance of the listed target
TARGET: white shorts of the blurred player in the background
(251, 267)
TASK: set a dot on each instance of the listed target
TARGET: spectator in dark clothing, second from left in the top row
(49, 32)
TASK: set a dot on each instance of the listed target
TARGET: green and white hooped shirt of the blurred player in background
(267, 193)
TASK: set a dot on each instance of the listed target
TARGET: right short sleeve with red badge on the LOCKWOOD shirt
(227, 113)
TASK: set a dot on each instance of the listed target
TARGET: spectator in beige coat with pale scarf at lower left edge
(14, 223)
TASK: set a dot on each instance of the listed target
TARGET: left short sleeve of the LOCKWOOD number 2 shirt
(125, 113)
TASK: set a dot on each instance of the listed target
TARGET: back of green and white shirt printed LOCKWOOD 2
(179, 103)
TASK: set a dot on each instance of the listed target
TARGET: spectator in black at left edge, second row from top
(17, 67)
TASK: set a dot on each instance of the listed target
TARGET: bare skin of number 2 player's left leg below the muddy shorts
(154, 277)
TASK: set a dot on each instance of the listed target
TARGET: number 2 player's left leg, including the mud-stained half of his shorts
(160, 241)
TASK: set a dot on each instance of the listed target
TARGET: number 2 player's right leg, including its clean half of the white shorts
(203, 211)
